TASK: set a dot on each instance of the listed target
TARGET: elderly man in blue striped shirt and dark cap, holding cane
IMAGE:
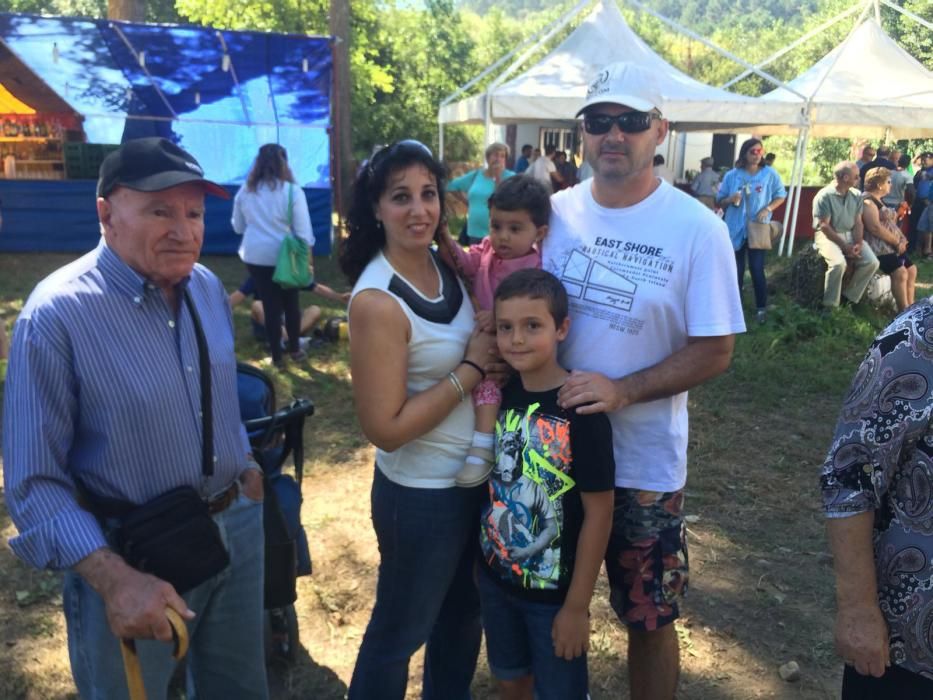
(104, 396)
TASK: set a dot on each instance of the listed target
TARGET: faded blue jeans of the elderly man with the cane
(225, 658)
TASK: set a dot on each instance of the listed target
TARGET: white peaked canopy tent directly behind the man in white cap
(555, 87)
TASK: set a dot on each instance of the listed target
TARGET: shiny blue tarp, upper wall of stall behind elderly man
(218, 94)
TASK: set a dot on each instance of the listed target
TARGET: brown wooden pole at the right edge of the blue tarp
(341, 138)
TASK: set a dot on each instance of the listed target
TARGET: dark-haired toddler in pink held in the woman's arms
(519, 210)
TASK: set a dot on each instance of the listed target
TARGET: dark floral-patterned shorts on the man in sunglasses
(647, 557)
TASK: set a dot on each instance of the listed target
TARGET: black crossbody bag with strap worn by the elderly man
(173, 535)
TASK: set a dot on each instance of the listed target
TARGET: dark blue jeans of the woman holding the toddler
(425, 594)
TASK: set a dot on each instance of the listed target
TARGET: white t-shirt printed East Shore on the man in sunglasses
(641, 281)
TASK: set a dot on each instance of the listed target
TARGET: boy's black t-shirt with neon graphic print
(545, 457)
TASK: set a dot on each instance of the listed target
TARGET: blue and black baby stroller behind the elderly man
(273, 436)
